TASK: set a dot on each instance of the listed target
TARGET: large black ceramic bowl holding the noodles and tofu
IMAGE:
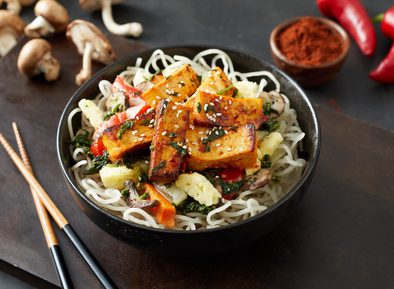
(204, 242)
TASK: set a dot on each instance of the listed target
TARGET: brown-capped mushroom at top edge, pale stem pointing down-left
(51, 18)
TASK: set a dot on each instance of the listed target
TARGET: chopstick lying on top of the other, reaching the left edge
(90, 260)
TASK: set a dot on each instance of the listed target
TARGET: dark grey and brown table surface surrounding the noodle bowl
(341, 234)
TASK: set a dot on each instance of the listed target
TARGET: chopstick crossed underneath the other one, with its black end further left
(53, 245)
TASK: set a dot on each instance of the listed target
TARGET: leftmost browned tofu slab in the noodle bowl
(136, 138)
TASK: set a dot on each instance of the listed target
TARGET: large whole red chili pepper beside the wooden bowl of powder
(353, 16)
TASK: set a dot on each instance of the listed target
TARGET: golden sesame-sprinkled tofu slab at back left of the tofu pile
(183, 83)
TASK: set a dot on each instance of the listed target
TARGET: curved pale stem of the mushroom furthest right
(133, 28)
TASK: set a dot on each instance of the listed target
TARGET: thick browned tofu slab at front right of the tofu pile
(236, 148)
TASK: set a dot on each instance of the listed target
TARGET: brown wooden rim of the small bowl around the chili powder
(330, 23)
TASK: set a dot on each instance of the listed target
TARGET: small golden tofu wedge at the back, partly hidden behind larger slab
(216, 81)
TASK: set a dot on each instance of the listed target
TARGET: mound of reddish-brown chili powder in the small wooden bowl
(308, 41)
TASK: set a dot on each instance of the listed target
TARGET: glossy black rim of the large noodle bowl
(71, 182)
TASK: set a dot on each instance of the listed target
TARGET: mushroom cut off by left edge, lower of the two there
(11, 27)
